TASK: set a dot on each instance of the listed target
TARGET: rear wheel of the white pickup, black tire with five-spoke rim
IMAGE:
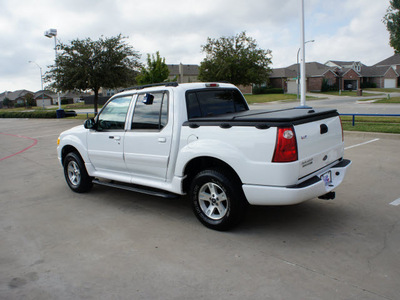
(218, 201)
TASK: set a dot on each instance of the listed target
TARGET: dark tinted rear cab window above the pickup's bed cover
(206, 103)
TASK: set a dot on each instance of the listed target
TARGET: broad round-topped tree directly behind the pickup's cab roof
(235, 59)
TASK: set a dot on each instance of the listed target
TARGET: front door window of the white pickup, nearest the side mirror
(113, 116)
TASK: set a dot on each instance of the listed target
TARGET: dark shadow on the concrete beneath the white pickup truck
(314, 216)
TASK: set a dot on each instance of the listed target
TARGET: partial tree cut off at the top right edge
(392, 21)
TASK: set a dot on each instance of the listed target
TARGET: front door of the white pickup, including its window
(106, 143)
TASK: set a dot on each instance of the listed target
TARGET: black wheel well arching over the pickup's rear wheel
(203, 163)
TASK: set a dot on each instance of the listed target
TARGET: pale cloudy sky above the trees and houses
(346, 30)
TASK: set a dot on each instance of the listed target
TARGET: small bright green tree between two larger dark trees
(156, 71)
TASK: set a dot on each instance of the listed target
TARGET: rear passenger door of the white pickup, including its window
(148, 141)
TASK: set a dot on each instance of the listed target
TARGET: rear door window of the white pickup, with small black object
(150, 115)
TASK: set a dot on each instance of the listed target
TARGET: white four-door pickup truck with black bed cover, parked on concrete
(202, 139)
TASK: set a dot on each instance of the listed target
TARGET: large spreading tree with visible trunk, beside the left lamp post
(90, 65)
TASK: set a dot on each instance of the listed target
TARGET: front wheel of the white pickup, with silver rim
(75, 173)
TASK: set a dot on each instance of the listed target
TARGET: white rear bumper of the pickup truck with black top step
(312, 188)
